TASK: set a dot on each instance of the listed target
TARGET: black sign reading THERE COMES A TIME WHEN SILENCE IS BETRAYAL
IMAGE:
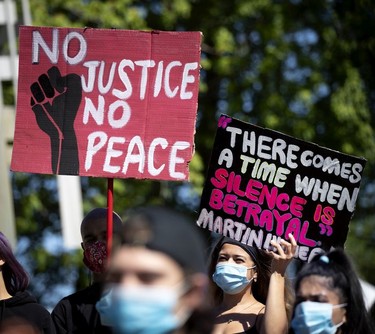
(262, 185)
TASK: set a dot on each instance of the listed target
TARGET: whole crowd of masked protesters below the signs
(164, 277)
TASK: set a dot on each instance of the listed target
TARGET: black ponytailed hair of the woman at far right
(338, 268)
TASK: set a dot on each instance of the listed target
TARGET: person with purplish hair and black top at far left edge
(16, 304)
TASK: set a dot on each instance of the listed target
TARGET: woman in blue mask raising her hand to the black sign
(244, 281)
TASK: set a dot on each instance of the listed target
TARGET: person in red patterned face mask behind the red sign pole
(76, 313)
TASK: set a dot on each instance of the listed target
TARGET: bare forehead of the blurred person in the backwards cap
(140, 259)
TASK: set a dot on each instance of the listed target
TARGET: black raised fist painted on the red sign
(55, 101)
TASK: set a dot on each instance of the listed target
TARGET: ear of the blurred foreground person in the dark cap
(196, 293)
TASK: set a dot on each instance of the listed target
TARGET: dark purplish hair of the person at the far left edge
(15, 277)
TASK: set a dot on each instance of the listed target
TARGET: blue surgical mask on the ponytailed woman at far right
(314, 318)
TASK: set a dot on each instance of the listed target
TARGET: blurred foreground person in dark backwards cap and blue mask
(156, 281)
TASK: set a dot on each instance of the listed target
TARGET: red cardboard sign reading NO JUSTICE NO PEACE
(110, 103)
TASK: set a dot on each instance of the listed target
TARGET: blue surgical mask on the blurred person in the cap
(139, 310)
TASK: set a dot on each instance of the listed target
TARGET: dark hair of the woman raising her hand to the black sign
(263, 267)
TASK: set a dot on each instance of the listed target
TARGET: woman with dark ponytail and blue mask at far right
(329, 298)
